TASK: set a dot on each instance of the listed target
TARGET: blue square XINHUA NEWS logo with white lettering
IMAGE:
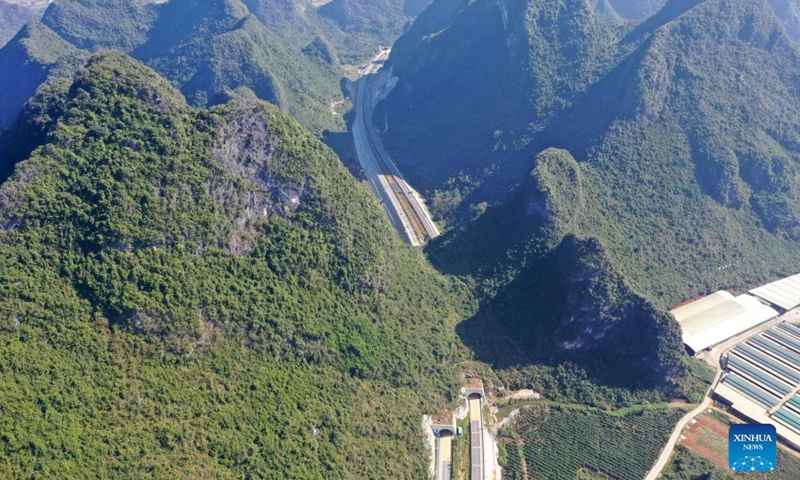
(752, 448)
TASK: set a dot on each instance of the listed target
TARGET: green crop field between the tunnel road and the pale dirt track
(559, 443)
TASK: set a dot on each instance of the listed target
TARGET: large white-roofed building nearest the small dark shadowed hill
(718, 317)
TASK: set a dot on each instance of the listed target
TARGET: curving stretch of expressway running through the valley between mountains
(403, 205)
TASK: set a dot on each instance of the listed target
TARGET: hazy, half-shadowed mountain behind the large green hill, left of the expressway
(221, 46)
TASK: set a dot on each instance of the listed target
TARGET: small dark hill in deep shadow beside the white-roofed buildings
(572, 307)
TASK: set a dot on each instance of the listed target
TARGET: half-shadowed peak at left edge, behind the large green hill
(35, 54)
